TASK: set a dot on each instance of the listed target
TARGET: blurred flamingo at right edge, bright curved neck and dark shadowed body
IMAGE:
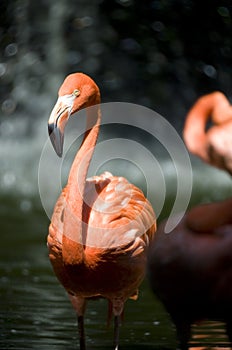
(190, 269)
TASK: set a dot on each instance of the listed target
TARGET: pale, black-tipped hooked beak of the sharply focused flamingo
(58, 120)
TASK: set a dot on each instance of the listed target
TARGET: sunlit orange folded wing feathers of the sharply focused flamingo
(119, 213)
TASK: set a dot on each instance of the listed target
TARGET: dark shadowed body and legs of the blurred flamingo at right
(191, 271)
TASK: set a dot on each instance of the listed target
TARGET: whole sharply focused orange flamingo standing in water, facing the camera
(101, 226)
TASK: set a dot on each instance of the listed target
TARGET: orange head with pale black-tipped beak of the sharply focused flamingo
(78, 91)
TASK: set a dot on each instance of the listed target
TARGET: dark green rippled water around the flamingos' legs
(36, 313)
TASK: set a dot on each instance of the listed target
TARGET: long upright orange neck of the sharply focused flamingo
(73, 241)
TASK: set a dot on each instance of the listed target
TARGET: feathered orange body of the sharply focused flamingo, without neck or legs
(104, 270)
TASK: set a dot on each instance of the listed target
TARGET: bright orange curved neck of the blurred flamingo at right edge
(213, 145)
